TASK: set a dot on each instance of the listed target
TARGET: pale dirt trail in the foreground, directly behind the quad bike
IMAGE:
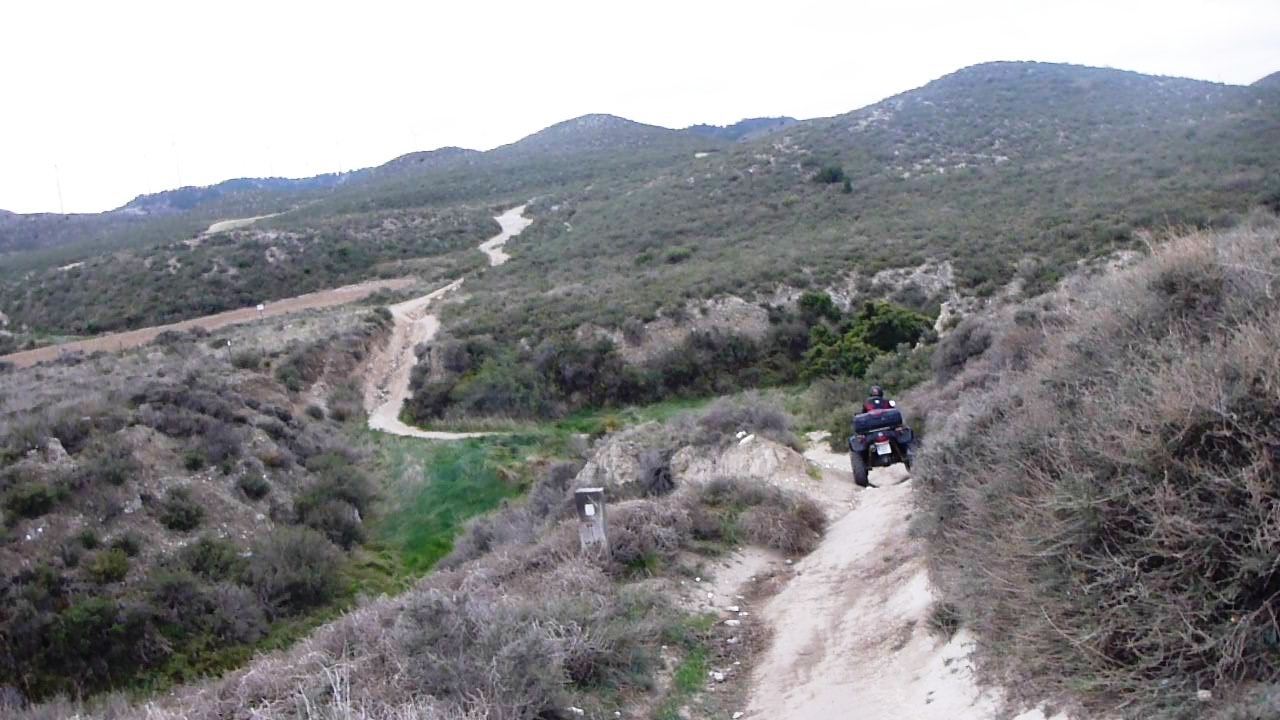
(852, 632)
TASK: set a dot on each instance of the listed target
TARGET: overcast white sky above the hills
(127, 97)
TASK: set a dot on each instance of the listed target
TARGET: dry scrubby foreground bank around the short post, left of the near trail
(519, 625)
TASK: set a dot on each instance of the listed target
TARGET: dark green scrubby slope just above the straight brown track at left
(212, 274)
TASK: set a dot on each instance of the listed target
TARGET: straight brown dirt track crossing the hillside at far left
(134, 339)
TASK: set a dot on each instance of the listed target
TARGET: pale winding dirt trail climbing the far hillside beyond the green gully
(390, 370)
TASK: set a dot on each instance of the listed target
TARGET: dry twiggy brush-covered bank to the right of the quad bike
(1103, 507)
